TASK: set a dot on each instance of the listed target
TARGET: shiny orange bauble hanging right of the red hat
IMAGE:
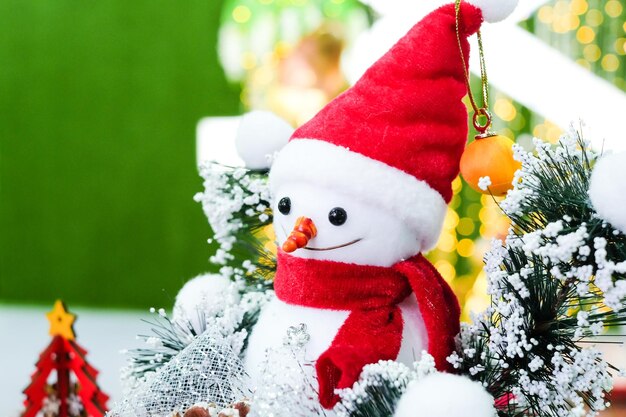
(490, 156)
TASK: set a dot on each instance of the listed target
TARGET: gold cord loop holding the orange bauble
(479, 111)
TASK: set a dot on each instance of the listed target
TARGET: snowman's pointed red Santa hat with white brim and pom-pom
(396, 137)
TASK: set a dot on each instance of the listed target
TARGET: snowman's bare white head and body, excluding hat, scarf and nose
(380, 239)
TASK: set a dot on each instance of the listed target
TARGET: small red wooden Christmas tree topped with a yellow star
(62, 359)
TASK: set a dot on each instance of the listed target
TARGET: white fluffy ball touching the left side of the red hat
(260, 135)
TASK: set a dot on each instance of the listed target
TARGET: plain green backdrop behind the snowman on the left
(98, 106)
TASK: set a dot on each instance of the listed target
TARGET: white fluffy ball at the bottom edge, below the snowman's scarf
(445, 395)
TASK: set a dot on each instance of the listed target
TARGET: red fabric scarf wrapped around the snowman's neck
(373, 329)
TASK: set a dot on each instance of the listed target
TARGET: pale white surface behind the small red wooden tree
(24, 335)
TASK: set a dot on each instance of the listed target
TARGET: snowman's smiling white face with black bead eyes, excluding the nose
(348, 229)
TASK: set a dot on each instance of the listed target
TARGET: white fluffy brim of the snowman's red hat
(327, 165)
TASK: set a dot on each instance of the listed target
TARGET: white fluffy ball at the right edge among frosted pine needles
(608, 189)
